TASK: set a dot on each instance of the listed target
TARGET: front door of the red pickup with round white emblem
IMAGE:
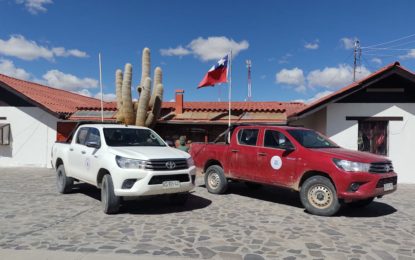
(278, 159)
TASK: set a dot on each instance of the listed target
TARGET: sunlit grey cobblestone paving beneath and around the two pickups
(268, 223)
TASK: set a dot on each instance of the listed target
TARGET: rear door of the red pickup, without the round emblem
(244, 154)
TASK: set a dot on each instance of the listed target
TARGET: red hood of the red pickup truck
(350, 155)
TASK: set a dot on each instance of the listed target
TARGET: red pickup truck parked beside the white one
(297, 158)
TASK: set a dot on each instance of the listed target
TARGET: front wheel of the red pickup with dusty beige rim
(319, 197)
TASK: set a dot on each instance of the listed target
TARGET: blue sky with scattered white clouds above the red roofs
(300, 50)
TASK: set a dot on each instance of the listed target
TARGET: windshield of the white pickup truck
(131, 137)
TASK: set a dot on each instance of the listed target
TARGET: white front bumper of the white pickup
(143, 187)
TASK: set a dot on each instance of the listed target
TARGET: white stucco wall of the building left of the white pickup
(33, 133)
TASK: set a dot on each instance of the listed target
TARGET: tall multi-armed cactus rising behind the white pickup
(146, 111)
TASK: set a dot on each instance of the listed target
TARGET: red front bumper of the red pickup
(370, 185)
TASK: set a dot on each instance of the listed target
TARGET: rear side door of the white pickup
(75, 157)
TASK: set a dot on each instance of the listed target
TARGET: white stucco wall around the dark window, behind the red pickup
(401, 144)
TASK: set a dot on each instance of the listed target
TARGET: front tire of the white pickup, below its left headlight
(109, 201)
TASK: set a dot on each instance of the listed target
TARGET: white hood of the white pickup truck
(149, 152)
